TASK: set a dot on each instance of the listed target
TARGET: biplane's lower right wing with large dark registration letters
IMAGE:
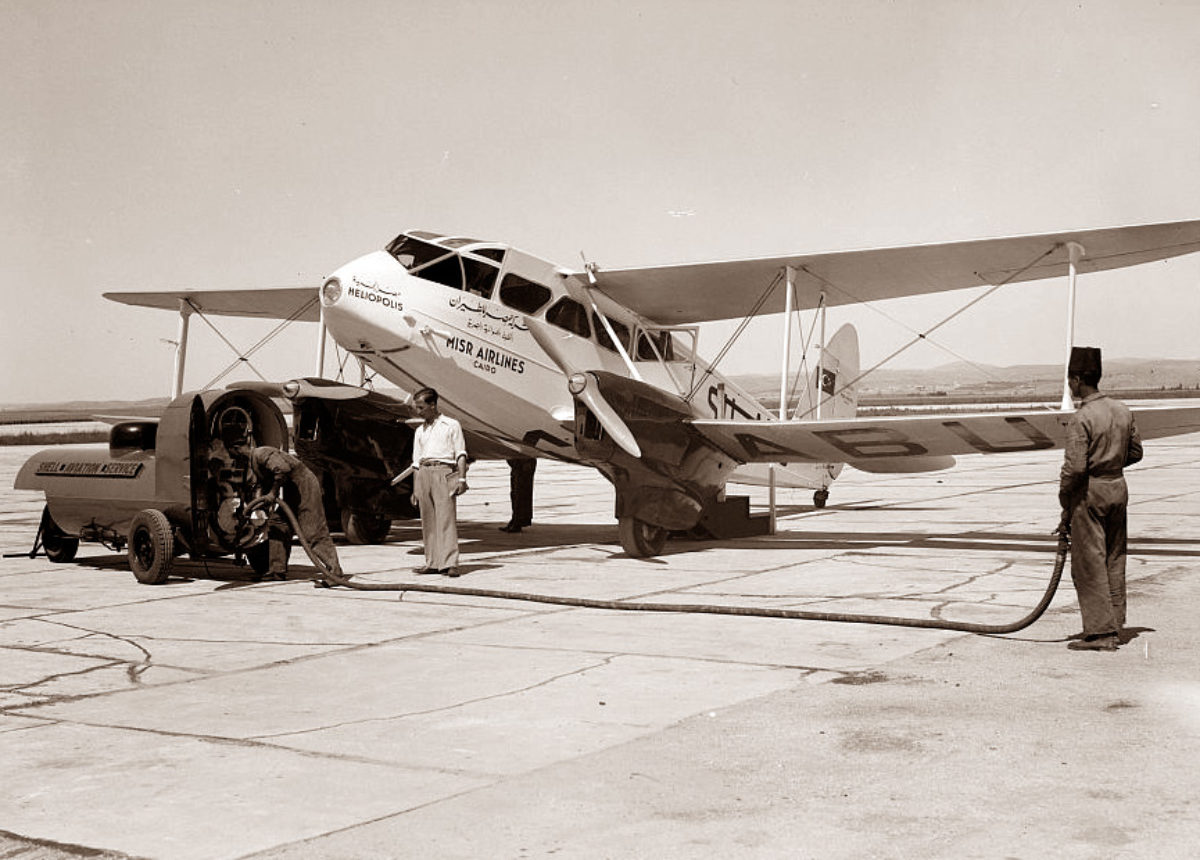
(872, 443)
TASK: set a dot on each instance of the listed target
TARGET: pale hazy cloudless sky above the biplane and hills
(241, 145)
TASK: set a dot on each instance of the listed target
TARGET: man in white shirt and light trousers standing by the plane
(440, 464)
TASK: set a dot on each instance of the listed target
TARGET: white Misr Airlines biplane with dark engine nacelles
(601, 366)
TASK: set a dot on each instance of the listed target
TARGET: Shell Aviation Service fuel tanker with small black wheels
(160, 489)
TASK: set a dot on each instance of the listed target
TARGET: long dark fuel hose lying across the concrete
(335, 578)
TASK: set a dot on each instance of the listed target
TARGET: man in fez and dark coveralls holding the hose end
(1102, 440)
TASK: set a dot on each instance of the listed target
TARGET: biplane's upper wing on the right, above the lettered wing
(700, 292)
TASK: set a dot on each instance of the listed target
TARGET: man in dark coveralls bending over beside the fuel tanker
(281, 472)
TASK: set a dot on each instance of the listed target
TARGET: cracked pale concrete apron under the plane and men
(212, 718)
